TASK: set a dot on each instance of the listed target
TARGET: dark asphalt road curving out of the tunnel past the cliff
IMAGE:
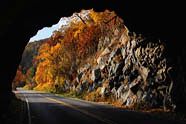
(45, 108)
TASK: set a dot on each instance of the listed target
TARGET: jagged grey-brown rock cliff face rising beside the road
(128, 68)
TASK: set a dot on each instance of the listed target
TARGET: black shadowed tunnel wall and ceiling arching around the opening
(20, 20)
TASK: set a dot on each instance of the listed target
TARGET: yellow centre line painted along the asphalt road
(80, 110)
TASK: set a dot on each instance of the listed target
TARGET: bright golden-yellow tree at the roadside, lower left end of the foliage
(49, 69)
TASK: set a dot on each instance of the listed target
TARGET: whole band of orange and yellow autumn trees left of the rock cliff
(59, 58)
